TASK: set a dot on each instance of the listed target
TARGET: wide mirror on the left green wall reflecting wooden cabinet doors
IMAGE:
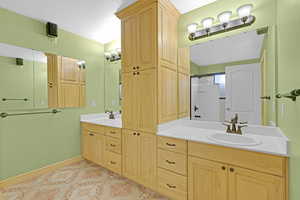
(29, 81)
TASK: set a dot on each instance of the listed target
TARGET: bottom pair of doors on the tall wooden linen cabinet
(139, 157)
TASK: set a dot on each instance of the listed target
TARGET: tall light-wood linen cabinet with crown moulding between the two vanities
(150, 83)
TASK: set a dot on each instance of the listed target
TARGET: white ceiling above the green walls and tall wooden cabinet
(93, 19)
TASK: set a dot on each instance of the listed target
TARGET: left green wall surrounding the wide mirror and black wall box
(31, 142)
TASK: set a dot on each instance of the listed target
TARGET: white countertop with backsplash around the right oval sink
(272, 140)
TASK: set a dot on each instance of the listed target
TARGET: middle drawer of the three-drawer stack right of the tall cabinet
(172, 161)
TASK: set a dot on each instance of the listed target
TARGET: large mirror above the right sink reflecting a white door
(234, 75)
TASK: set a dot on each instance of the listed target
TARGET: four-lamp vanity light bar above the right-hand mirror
(225, 23)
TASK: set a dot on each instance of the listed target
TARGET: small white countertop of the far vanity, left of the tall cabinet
(102, 119)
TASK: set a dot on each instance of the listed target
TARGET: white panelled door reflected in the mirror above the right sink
(243, 90)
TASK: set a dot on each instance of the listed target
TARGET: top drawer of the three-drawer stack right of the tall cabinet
(171, 144)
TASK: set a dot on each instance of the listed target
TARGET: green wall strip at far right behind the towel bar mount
(288, 79)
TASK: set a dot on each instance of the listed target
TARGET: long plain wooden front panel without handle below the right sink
(248, 159)
